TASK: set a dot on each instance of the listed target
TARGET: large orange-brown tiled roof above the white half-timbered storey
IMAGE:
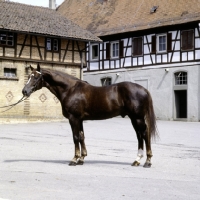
(107, 17)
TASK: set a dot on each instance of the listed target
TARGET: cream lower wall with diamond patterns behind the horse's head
(41, 105)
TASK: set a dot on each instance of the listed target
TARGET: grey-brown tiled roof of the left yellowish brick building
(40, 20)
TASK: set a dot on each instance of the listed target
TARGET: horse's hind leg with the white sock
(137, 128)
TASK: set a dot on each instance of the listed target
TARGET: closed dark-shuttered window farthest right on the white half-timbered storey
(187, 40)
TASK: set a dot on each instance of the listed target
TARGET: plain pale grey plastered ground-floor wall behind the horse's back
(161, 87)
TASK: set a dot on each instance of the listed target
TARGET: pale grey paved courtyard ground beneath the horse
(34, 161)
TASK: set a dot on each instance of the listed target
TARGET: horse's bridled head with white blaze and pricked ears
(34, 82)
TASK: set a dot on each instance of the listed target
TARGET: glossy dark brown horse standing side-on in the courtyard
(81, 101)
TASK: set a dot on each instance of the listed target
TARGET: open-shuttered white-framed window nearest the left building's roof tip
(115, 49)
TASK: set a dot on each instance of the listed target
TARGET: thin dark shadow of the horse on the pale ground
(87, 162)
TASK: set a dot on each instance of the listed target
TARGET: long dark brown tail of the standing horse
(150, 119)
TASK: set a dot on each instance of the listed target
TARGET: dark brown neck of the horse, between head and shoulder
(56, 83)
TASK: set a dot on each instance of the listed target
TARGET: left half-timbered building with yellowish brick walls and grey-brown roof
(31, 35)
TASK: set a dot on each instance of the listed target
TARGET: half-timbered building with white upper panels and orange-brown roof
(155, 43)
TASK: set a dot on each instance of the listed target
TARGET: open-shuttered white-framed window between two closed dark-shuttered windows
(161, 43)
